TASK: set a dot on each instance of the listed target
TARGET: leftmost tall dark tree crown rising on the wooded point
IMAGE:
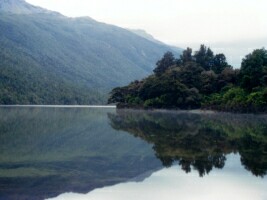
(162, 65)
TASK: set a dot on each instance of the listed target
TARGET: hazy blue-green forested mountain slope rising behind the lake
(47, 58)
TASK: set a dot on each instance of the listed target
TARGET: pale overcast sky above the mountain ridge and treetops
(180, 22)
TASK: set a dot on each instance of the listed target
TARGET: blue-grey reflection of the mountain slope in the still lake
(45, 152)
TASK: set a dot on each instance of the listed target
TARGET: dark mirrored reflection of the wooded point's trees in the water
(199, 141)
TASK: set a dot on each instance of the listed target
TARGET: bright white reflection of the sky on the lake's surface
(233, 183)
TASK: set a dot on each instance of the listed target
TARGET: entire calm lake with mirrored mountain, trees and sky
(104, 153)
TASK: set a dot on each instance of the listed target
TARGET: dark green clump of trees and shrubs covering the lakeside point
(202, 80)
